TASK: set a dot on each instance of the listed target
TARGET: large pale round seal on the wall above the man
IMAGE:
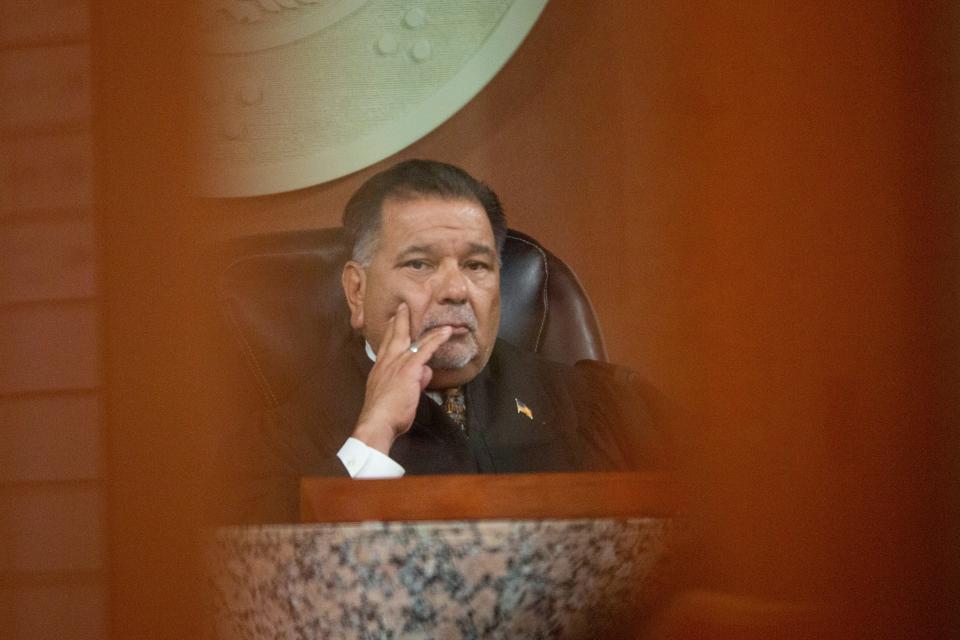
(294, 93)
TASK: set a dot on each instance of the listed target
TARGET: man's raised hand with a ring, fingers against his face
(398, 377)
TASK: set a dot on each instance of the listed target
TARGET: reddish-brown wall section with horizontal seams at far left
(52, 491)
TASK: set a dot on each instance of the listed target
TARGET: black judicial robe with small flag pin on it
(524, 414)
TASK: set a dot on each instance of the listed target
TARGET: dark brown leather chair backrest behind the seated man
(281, 294)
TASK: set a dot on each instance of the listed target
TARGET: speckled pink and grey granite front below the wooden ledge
(483, 579)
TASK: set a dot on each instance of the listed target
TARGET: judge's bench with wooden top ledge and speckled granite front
(540, 555)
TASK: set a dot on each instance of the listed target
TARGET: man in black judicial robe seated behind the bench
(426, 387)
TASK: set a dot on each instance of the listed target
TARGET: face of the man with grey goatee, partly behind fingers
(438, 256)
